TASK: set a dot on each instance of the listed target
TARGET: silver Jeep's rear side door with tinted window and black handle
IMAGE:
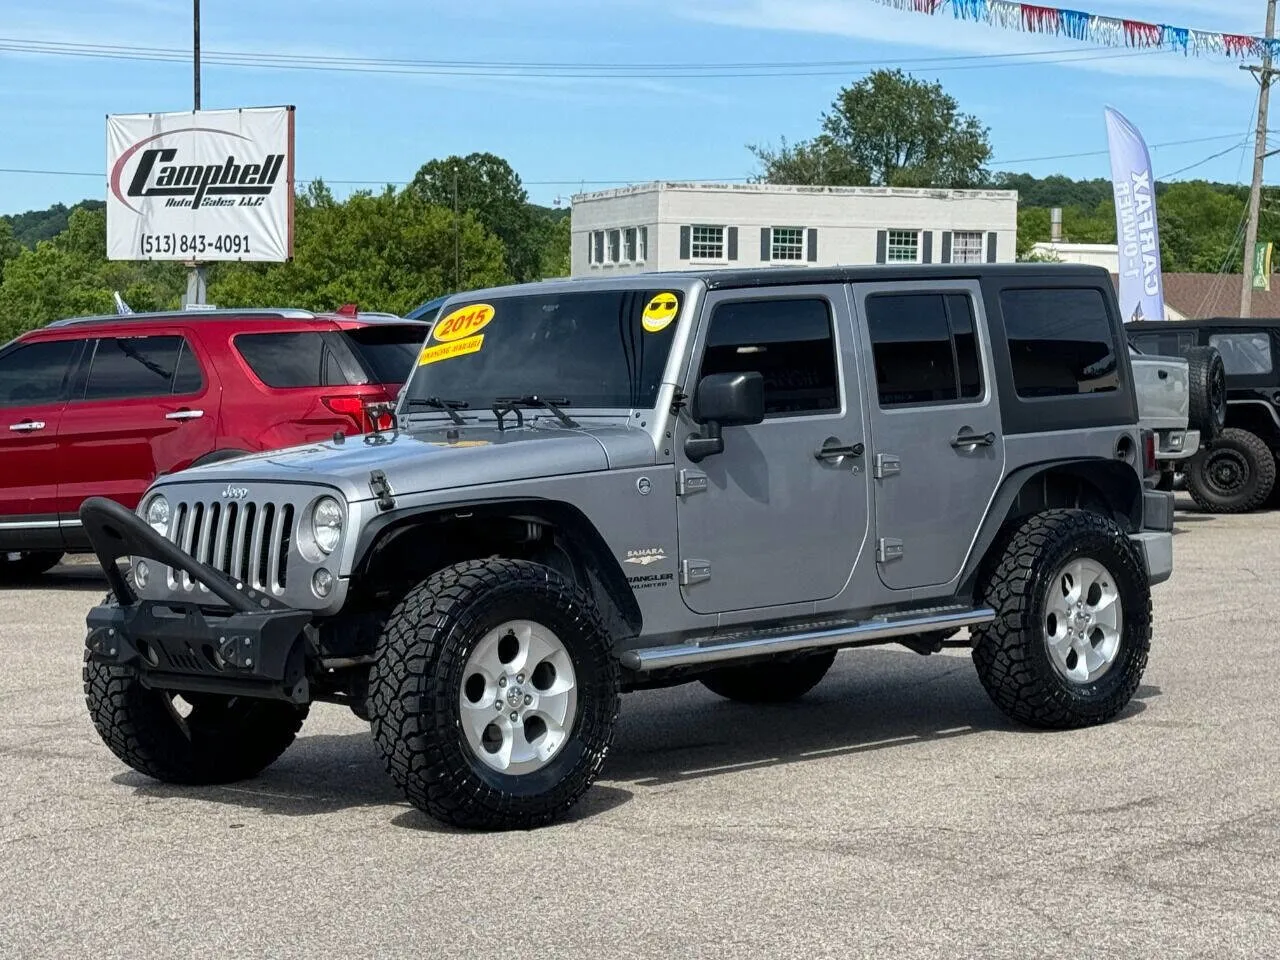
(936, 452)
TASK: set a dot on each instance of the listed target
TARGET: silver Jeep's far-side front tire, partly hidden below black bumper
(223, 740)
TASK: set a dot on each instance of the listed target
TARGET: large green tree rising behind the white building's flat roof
(888, 130)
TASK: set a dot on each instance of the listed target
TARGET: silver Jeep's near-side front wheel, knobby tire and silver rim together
(495, 694)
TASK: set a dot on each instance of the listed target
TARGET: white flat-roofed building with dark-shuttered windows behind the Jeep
(683, 226)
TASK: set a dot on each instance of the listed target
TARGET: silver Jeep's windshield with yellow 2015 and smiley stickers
(586, 350)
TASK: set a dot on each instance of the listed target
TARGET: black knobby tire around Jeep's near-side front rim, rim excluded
(417, 680)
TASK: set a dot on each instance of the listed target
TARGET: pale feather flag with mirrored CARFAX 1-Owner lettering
(1142, 286)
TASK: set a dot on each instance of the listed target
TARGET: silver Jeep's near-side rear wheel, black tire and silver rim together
(1073, 623)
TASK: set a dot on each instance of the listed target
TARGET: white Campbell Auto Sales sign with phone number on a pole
(213, 185)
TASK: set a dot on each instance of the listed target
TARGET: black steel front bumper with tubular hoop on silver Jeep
(253, 647)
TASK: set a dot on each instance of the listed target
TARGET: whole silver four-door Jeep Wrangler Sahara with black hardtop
(609, 484)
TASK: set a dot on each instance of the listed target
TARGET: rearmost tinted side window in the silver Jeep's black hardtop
(1060, 342)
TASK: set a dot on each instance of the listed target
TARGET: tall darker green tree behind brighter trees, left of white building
(487, 188)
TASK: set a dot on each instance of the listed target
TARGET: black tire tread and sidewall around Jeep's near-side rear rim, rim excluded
(1012, 655)
